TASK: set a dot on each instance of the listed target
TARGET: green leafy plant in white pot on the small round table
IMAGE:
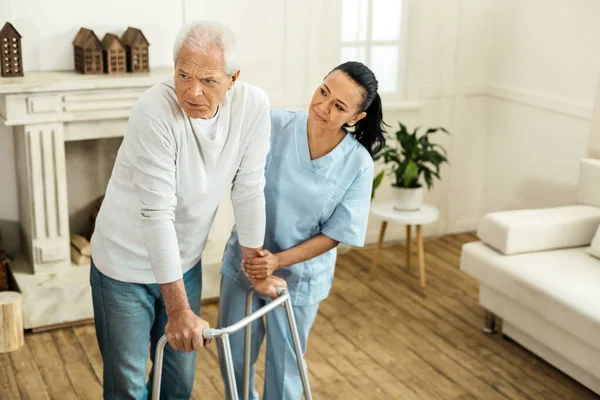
(414, 160)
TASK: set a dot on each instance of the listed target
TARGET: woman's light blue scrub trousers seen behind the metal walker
(282, 378)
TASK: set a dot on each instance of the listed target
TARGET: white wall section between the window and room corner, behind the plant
(451, 49)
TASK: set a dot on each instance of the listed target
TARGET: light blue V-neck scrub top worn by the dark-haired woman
(304, 197)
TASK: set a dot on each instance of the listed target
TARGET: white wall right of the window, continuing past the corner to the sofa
(515, 81)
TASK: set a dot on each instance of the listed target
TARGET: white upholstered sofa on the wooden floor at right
(539, 271)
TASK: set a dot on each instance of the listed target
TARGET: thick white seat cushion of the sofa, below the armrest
(562, 286)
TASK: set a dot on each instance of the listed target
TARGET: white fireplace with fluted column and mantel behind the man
(67, 128)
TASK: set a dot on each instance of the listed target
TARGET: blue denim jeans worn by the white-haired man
(128, 317)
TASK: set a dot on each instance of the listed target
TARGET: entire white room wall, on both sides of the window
(503, 77)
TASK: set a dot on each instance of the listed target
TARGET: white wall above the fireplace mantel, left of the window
(273, 35)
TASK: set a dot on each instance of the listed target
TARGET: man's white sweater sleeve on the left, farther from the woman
(153, 154)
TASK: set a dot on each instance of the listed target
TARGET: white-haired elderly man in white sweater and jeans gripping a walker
(187, 140)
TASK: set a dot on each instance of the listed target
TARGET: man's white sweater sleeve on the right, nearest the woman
(247, 193)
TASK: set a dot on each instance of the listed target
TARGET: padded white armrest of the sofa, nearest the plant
(521, 231)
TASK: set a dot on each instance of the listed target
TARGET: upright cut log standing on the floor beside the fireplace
(11, 321)
